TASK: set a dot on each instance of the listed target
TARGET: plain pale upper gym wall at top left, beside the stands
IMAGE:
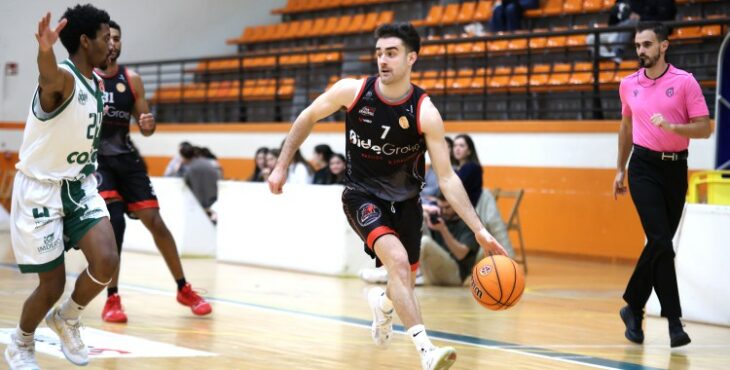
(152, 30)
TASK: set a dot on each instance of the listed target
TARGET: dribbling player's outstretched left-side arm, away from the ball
(342, 94)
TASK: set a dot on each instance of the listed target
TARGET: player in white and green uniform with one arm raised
(55, 204)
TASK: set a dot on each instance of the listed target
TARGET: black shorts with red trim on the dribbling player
(372, 217)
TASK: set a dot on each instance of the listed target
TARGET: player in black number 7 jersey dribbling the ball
(389, 126)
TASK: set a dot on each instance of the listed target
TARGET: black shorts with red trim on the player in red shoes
(124, 177)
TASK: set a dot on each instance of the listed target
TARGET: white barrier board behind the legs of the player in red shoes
(194, 234)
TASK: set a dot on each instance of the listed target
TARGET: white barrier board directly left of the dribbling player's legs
(303, 229)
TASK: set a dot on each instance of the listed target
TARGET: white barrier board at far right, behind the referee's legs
(702, 247)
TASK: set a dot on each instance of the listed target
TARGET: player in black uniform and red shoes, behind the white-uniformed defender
(123, 179)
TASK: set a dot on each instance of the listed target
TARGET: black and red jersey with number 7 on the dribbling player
(385, 145)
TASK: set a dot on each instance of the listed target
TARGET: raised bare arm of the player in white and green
(55, 84)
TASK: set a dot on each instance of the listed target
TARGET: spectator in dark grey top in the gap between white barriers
(201, 177)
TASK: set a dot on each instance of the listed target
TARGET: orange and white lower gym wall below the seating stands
(566, 169)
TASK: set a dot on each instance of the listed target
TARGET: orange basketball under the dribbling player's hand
(497, 282)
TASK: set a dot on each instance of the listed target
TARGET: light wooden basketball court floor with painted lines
(266, 319)
